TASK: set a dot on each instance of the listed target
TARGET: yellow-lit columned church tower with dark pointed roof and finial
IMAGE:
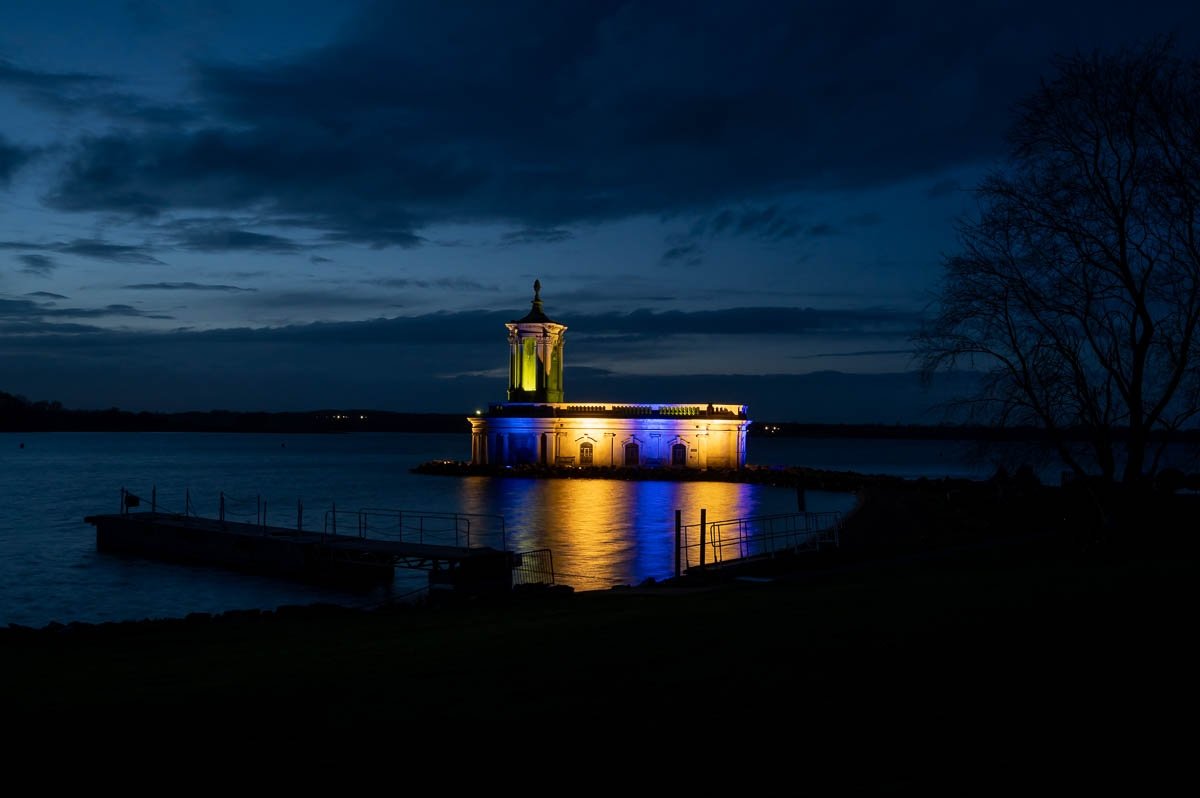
(536, 356)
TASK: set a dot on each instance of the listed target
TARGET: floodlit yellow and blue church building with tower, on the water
(537, 427)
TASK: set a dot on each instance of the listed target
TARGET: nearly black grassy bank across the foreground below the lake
(1001, 633)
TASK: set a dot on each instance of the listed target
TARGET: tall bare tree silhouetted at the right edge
(1077, 290)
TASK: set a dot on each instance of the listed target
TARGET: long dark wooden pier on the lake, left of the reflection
(352, 561)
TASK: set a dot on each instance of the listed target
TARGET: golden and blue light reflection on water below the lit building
(603, 532)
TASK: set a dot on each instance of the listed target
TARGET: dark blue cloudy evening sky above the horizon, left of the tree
(303, 205)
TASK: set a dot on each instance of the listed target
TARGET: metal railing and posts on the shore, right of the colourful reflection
(718, 543)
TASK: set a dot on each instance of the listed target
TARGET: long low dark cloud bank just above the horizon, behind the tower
(256, 369)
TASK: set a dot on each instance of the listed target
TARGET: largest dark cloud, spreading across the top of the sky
(554, 113)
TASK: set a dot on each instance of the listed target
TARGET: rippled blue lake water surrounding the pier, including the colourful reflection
(602, 532)
